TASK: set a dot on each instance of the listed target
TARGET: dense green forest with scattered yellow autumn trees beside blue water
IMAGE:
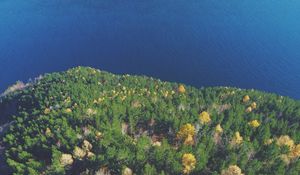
(87, 121)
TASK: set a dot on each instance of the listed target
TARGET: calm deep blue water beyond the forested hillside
(247, 44)
